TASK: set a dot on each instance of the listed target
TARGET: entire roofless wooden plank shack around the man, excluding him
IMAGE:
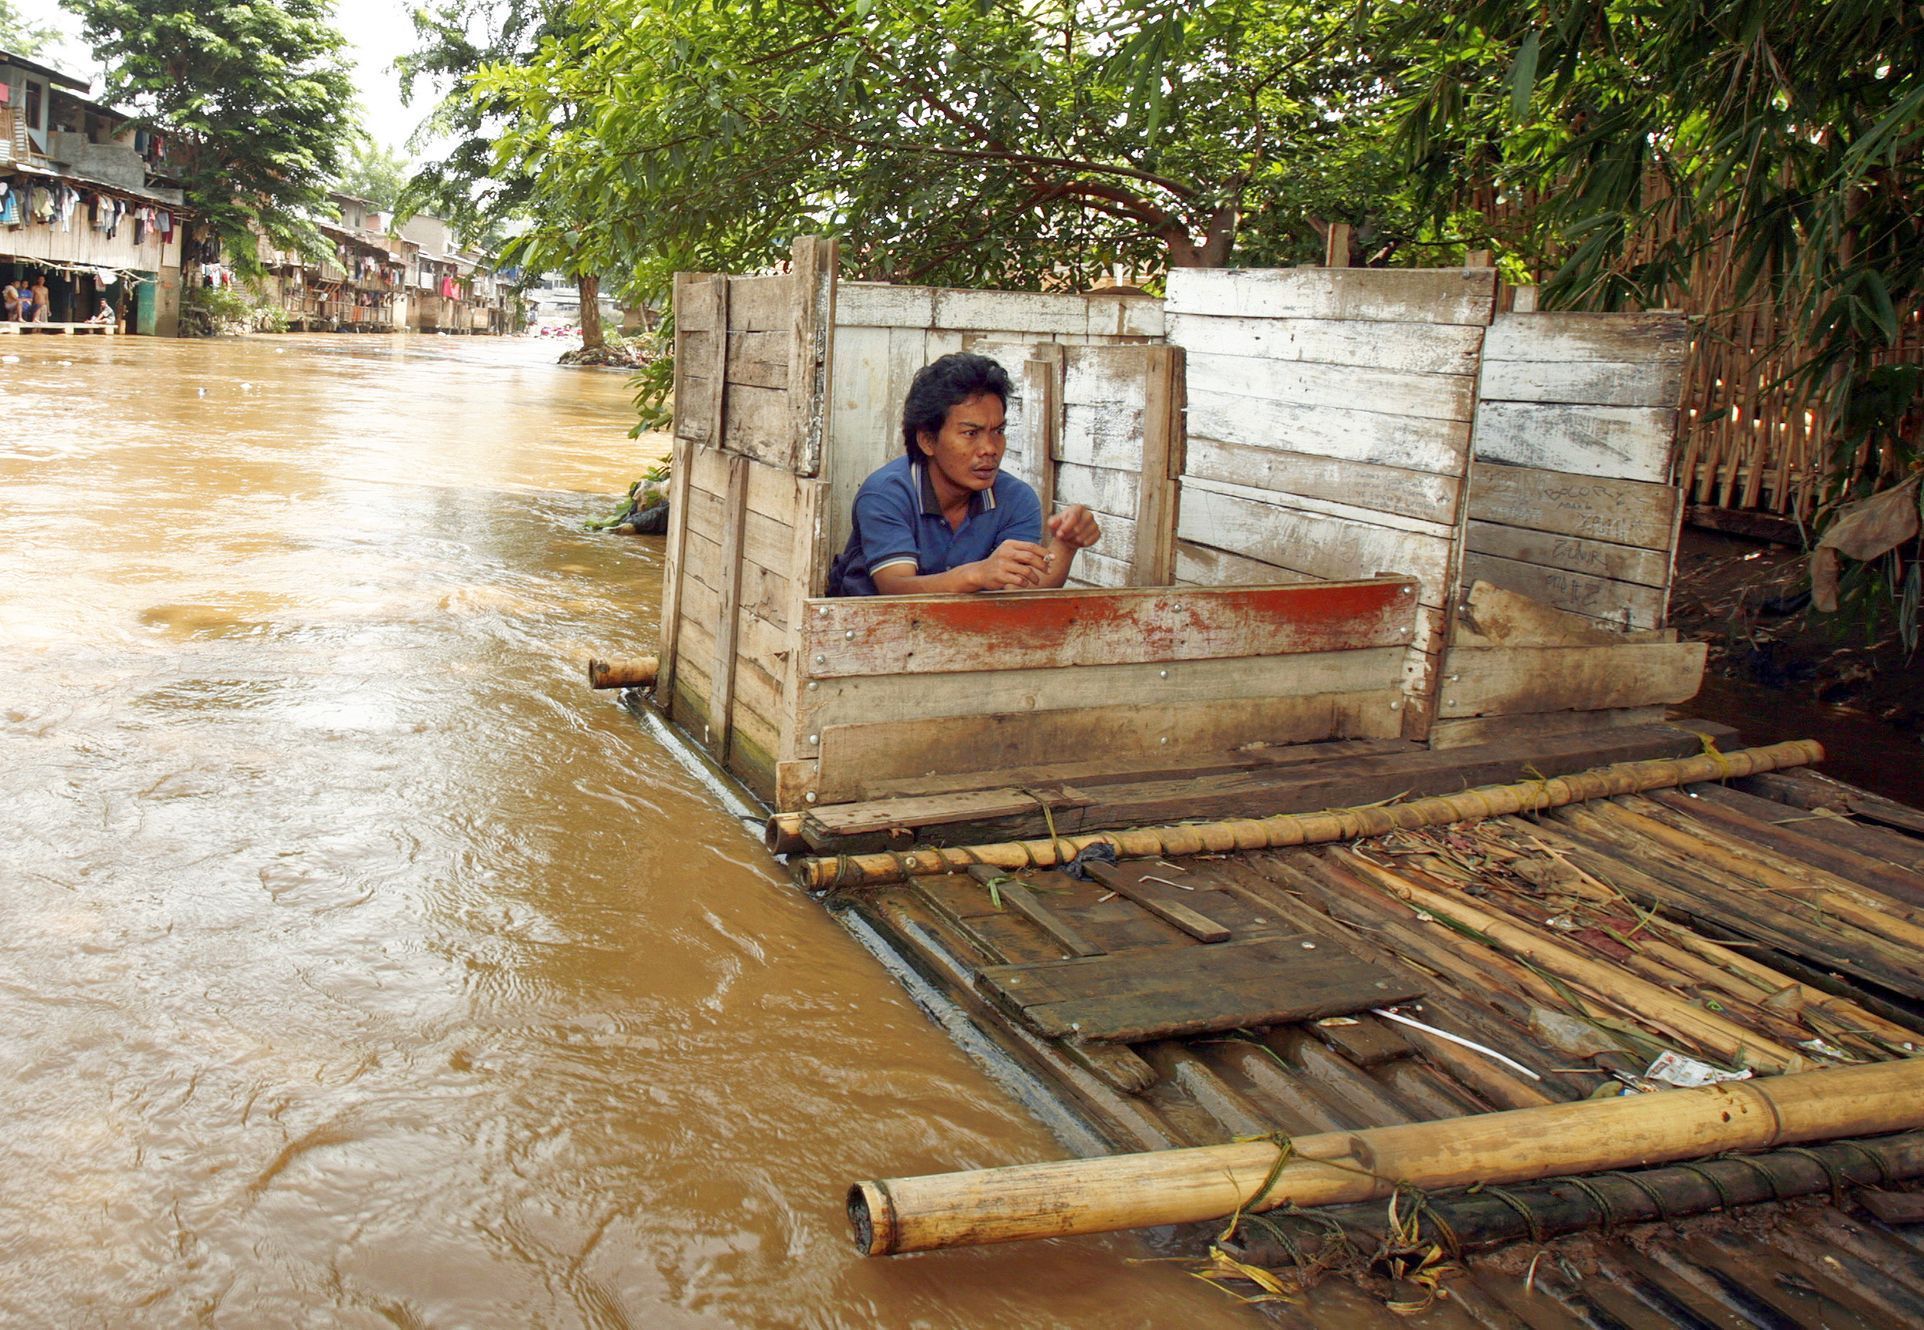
(1257, 430)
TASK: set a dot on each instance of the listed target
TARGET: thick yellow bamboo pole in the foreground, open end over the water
(1211, 1183)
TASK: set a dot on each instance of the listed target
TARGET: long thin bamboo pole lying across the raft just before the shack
(1309, 829)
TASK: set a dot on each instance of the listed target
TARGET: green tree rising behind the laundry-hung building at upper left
(255, 97)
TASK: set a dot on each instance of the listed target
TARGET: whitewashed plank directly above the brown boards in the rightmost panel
(1631, 444)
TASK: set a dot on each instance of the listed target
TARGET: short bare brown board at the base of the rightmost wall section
(1507, 680)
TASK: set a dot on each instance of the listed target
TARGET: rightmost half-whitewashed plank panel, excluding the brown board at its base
(1571, 496)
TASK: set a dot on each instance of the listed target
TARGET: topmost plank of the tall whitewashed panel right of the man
(1415, 295)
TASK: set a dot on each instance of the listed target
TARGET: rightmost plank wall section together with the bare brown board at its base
(1571, 507)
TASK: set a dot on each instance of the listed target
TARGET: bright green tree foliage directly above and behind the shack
(967, 141)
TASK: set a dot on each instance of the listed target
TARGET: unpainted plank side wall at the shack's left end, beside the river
(744, 546)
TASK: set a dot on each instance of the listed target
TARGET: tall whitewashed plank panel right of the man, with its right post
(1329, 432)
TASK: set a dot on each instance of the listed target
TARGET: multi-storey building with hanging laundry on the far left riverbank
(88, 203)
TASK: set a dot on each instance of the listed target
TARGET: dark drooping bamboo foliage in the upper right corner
(1765, 147)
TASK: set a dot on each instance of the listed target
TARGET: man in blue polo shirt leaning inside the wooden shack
(946, 517)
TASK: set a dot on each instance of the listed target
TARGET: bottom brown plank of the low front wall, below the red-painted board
(861, 759)
